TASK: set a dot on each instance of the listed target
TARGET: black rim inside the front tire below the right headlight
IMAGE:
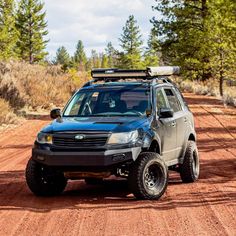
(153, 176)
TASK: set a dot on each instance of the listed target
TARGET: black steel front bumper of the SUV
(85, 159)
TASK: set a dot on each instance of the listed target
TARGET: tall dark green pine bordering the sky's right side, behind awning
(182, 31)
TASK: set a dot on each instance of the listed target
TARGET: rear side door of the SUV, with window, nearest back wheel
(179, 118)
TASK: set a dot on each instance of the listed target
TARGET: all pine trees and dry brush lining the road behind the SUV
(200, 36)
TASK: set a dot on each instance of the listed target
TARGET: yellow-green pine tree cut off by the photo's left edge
(8, 32)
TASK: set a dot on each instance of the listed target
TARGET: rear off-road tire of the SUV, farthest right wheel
(189, 170)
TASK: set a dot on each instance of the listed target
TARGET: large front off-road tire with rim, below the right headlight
(138, 180)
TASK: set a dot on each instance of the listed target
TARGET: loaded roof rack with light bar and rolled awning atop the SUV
(151, 73)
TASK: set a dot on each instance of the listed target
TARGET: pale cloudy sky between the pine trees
(95, 22)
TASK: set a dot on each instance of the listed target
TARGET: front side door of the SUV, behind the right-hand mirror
(166, 128)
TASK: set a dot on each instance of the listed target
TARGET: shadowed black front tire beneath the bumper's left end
(43, 180)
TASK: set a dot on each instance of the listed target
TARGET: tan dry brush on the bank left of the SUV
(35, 87)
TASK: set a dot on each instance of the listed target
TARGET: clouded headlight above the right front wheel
(122, 138)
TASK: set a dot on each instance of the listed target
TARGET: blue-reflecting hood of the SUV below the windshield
(107, 124)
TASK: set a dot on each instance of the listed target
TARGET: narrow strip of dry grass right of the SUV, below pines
(209, 88)
